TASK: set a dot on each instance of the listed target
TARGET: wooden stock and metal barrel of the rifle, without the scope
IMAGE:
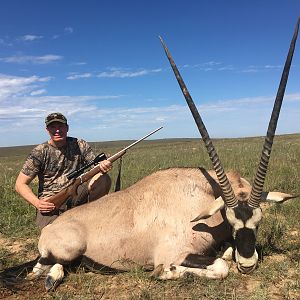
(71, 190)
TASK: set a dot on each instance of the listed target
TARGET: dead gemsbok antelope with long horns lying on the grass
(149, 223)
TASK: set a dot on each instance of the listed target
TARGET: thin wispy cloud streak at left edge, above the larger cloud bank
(45, 59)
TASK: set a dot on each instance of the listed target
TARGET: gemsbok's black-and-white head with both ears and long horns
(244, 216)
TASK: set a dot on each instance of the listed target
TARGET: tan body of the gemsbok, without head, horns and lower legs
(148, 223)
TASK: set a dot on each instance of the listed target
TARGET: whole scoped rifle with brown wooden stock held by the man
(70, 191)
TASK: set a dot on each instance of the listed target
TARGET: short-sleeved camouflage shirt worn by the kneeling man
(52, 165)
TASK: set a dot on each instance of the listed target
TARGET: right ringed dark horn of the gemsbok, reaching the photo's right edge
(259, 180)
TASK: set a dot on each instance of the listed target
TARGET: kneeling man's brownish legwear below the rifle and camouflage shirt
(43, 219)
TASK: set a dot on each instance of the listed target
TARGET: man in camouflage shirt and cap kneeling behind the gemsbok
(51, 162)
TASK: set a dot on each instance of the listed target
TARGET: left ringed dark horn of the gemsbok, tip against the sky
(229, 196)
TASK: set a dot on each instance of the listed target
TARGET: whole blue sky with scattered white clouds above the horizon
(102, 65)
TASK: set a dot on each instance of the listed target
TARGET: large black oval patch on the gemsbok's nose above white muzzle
(245, 242)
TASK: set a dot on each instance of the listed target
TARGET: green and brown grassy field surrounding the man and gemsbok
(278, 241)
